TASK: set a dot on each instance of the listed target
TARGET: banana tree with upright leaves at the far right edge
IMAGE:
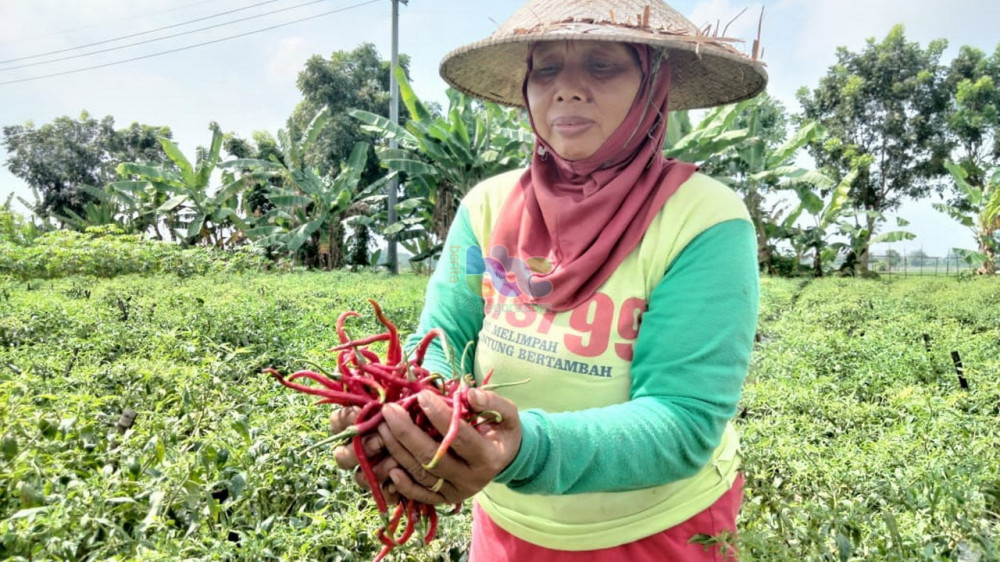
(981, 215)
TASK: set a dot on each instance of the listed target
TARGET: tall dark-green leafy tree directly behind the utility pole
(358, 79)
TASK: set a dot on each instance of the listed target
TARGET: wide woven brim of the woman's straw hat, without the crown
(704, 72)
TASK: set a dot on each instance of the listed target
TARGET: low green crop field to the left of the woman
(213, 465)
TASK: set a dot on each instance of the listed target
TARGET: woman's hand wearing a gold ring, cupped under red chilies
(475, 457)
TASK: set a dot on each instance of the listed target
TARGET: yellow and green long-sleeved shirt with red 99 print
(626, 418)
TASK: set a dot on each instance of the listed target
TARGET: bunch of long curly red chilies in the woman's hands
(364, 380)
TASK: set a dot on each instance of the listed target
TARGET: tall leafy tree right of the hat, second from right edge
(886, 111)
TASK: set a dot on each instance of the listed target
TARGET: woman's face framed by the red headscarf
(579, 92)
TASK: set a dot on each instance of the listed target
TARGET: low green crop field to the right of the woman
(860, 442)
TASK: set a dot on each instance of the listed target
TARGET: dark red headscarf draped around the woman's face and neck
(583, 217)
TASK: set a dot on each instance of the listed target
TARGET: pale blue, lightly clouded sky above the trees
(242, 74)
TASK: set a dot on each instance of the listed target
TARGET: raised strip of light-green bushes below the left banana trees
(106, 252)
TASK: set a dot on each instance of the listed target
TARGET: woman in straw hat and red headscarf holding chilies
(620, 446)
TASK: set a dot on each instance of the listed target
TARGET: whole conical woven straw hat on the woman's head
(706, 70)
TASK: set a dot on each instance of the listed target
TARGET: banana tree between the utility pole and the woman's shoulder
(442, 157)
